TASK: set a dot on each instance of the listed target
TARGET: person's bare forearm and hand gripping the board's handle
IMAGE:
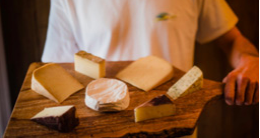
(242, 83)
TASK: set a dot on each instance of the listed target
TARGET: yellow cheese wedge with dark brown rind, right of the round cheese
(158, 107)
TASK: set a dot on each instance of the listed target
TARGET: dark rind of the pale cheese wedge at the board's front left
(64, 123)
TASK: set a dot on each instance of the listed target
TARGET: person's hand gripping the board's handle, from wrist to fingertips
(242, 84)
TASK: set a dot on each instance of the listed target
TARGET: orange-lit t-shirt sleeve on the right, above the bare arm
(215, 19)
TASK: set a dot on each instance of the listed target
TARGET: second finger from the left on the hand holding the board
(241, 89)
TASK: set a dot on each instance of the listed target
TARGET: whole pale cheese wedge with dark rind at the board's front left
(61, 118)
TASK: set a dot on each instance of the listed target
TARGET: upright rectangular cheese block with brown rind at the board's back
(89, 65)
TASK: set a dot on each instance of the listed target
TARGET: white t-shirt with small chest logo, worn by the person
(126, 29)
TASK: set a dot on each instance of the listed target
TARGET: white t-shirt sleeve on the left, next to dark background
(60, 44)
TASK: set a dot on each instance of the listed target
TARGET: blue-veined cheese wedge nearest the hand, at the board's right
(190, 82)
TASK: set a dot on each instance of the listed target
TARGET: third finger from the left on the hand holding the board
(250, 93)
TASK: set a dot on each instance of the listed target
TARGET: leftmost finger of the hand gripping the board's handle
(229, 93)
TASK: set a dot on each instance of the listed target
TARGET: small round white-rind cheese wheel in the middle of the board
(107, 95)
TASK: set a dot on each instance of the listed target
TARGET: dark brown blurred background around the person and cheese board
(23, 27)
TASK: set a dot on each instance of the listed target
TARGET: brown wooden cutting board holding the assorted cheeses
(119, 124)
